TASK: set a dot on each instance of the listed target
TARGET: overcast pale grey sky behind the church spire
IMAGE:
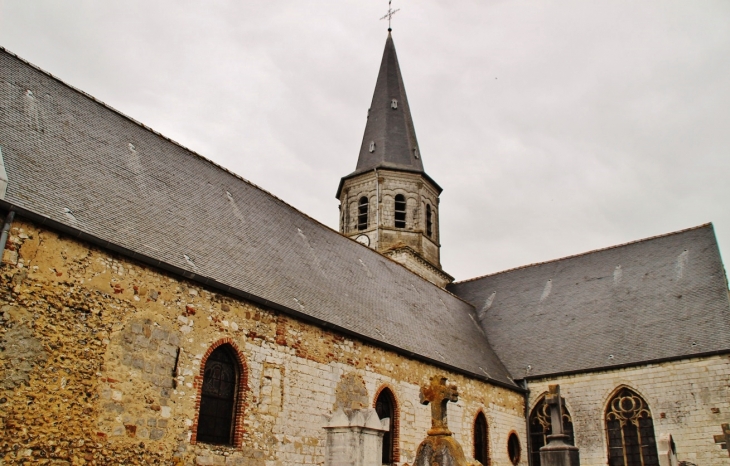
(554, 128)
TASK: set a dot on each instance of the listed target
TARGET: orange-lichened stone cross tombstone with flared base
(440, 448)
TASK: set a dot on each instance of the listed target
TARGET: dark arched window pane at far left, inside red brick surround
(219, 398)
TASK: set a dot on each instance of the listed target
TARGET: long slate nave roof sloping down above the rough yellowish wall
(82, 167)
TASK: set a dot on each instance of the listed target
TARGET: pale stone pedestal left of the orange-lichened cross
(355, 439)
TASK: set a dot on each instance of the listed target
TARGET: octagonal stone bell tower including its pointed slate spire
(389, 203)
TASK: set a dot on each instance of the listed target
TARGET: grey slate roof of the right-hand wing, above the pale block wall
(661, 298)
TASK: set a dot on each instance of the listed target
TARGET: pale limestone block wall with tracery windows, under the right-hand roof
(688, 399)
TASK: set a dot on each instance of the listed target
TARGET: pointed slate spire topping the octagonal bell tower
(390, 138)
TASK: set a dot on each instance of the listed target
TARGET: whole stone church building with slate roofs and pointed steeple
(156, 308)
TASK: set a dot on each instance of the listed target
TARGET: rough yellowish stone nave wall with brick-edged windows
(100, 362)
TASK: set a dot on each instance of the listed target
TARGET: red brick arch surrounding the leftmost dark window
(239, 393)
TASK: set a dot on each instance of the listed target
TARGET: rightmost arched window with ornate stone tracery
(630, 431)
